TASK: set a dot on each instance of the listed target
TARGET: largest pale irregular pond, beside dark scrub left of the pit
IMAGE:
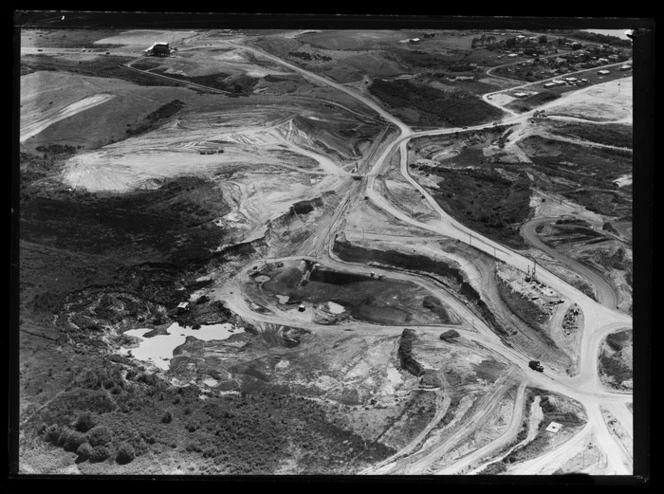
(158, 350)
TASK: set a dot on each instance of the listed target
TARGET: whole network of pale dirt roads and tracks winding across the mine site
(600, 320)
